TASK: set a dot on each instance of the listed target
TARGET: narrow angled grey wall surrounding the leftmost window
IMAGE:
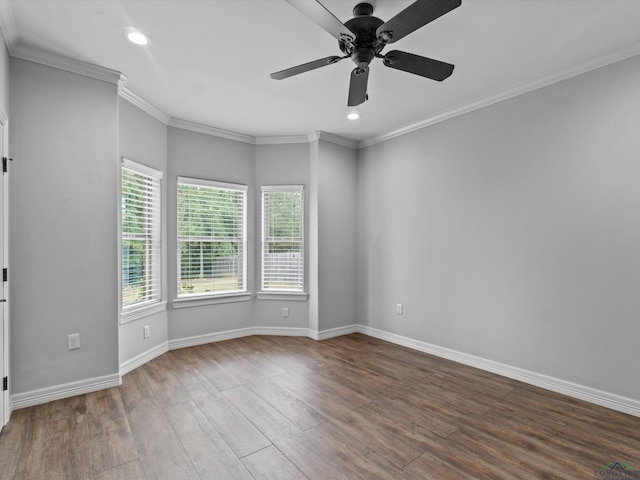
(143, 139)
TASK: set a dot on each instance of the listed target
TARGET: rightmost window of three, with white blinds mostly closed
(283, 239)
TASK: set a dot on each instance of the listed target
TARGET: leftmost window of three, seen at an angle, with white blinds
(141, 249)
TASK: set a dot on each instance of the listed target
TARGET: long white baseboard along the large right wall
(581, 392)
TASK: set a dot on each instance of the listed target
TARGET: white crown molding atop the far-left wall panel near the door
(68, 64)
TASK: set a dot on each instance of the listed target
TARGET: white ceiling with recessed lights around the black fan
(210, 61)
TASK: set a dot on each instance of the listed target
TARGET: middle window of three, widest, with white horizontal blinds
(212, 238)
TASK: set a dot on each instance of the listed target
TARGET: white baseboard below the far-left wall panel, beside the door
(65, 390)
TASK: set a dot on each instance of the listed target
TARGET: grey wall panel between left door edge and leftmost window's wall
(63, 188)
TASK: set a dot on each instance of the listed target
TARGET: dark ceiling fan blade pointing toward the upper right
(413, 17)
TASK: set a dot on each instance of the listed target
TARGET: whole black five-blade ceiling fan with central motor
(363, 37)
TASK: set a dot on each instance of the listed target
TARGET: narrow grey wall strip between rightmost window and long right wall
(333, 234)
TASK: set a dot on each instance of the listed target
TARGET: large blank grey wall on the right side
(511, 233)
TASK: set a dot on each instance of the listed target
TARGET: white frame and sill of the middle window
(242, 294)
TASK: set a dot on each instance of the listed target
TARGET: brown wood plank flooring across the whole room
(351, 407)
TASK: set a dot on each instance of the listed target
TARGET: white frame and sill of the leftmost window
(152, 237)
